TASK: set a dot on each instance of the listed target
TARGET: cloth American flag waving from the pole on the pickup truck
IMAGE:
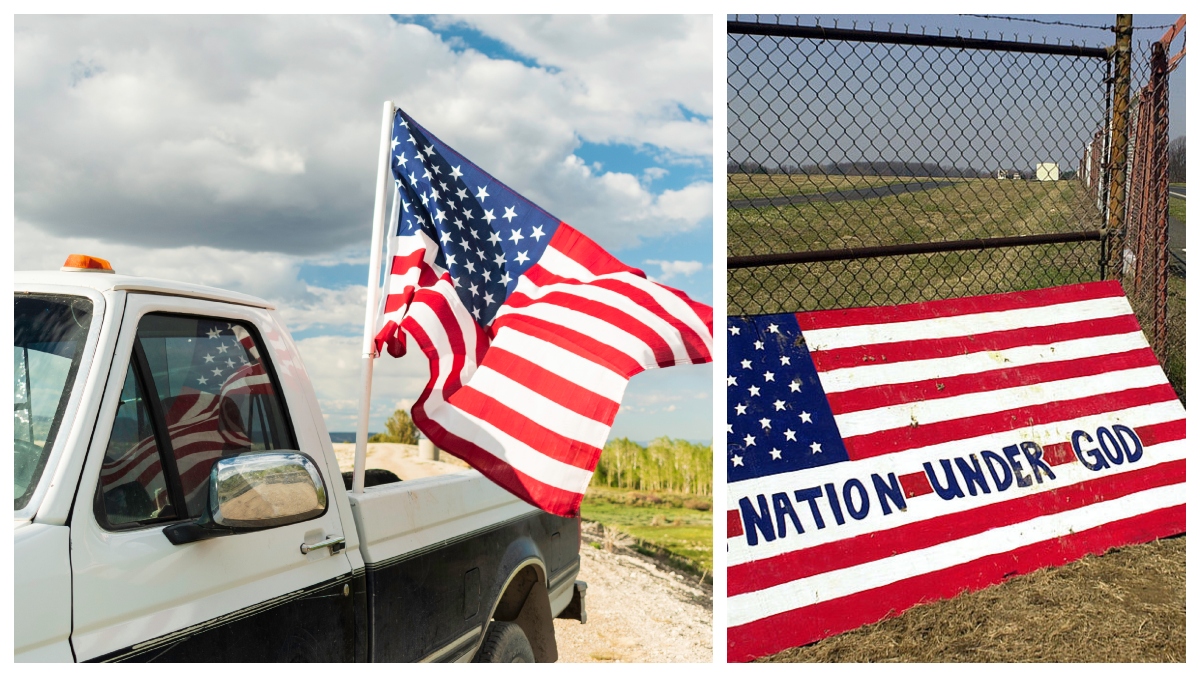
(531, 329)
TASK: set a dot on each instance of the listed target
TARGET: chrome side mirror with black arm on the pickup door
(256, 492)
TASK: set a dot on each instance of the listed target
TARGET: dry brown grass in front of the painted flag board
(1126, 607)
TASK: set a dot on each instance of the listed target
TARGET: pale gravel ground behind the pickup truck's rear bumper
(638, 612)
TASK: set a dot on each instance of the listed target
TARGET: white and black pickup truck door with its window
(194, 382)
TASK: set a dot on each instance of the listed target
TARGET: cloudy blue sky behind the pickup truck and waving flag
(212, 149)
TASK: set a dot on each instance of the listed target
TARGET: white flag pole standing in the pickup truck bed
(369, 328)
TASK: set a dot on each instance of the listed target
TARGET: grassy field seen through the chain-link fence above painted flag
(965, 209)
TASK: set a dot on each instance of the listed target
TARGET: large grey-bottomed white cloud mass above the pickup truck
(259, 134)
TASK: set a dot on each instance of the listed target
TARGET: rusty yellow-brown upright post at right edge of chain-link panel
(1117, 217)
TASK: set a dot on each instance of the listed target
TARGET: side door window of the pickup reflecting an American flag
(209, 386)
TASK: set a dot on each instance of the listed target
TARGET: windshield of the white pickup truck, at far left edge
(49, 337)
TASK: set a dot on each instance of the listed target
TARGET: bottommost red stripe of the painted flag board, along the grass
(820, 621)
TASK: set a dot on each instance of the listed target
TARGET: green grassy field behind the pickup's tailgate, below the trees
(671, 526)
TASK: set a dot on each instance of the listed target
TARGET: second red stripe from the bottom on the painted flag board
(799, 565)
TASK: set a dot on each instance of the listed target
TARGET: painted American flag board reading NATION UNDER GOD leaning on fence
(885, 458)
